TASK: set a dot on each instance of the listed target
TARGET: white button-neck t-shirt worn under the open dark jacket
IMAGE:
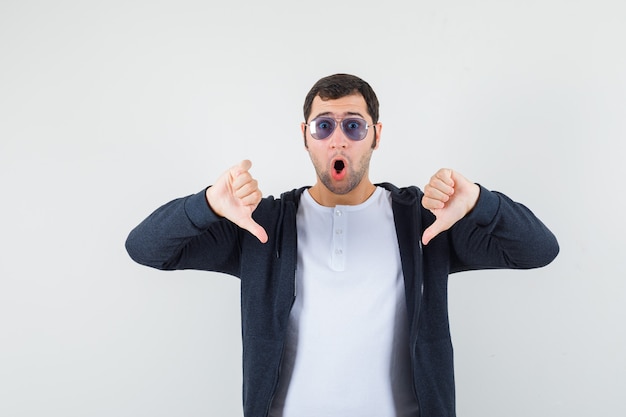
(347, 349)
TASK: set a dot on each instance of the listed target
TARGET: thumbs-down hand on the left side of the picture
(235, 195)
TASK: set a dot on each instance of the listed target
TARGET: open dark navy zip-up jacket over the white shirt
(497, 233)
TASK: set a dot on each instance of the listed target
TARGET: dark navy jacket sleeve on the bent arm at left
(186, 234)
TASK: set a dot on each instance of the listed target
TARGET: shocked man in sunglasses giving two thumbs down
(344, 284)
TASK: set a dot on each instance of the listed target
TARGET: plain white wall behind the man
(109, 109)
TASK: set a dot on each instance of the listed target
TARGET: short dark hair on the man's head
(338, 86)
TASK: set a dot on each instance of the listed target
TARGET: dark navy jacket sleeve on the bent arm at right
(500, 233)
